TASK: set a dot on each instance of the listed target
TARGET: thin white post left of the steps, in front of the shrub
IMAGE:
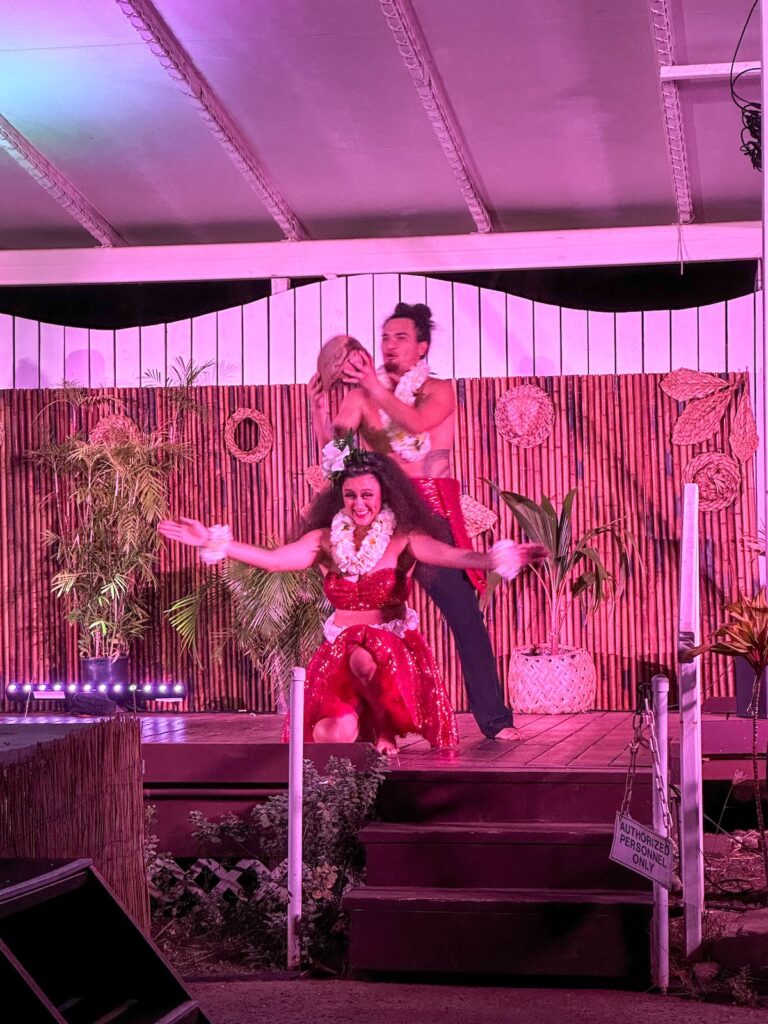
(295, 815)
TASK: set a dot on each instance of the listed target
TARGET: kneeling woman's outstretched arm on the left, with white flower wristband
(302, 554)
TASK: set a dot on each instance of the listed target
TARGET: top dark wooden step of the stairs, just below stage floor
(517, 795)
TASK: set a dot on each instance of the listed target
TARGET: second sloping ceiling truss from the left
(180, 66)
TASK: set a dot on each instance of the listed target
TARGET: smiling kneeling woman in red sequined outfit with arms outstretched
(374, 678)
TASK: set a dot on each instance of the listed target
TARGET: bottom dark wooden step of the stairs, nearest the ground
(510, 932)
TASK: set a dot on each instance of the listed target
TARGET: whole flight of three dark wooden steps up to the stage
(481, 871)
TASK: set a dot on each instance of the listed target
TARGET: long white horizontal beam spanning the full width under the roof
(497, 251)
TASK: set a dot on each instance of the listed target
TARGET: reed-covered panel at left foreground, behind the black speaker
(81, 796)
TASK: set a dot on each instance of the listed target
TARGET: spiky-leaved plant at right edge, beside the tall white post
(746, 637)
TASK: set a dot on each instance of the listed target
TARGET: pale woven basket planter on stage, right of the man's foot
(552, 685)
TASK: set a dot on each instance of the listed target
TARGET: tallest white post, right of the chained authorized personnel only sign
(690, 681)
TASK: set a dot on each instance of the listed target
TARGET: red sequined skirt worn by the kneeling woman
(407, 694)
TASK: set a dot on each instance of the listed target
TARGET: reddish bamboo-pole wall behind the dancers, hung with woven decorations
(611, 441)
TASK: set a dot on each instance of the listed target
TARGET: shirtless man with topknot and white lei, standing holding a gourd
(411, 416)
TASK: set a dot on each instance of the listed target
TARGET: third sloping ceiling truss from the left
(418, 60)
